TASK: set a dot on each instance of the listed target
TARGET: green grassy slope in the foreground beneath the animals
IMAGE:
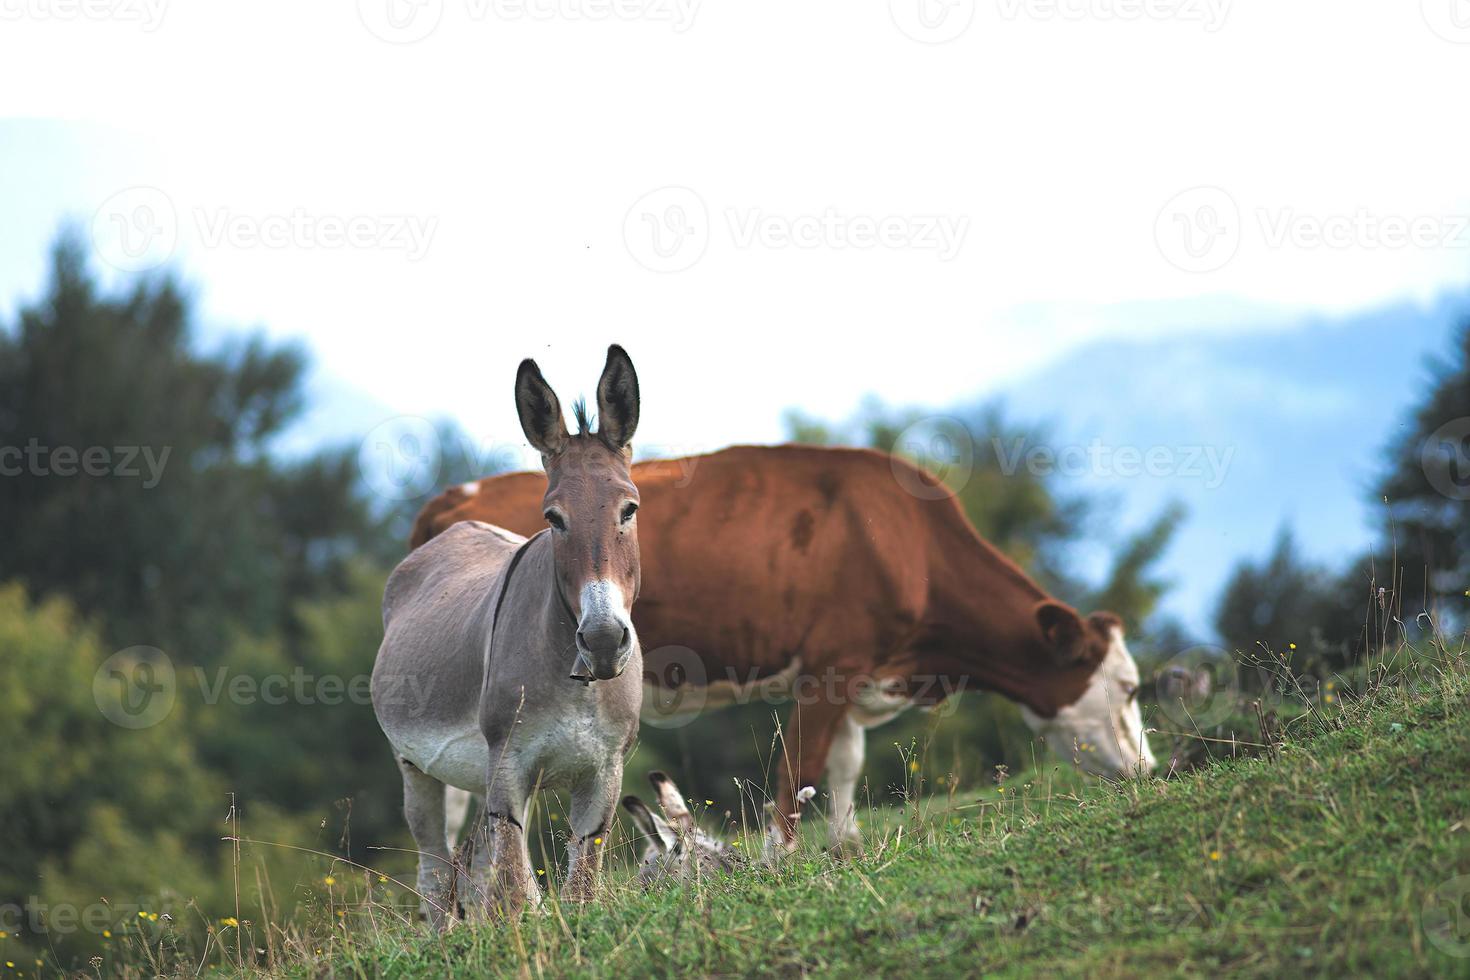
(1316, 860)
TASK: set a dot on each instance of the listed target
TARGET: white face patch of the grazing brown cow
(1103, 729)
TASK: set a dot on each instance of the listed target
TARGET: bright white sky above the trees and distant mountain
(772, 206)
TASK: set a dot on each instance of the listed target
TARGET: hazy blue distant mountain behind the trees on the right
(1296, 417)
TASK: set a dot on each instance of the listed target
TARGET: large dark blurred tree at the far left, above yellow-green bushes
(137, 469)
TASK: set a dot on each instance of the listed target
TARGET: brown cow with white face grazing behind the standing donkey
(815, 572)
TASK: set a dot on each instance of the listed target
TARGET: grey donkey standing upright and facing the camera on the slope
(521, 656)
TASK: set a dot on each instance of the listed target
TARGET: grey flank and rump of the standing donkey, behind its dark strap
(426, 685)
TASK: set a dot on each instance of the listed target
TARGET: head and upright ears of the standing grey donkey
(590, 506)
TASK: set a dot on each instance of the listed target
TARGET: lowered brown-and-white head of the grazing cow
(1090, 712)
